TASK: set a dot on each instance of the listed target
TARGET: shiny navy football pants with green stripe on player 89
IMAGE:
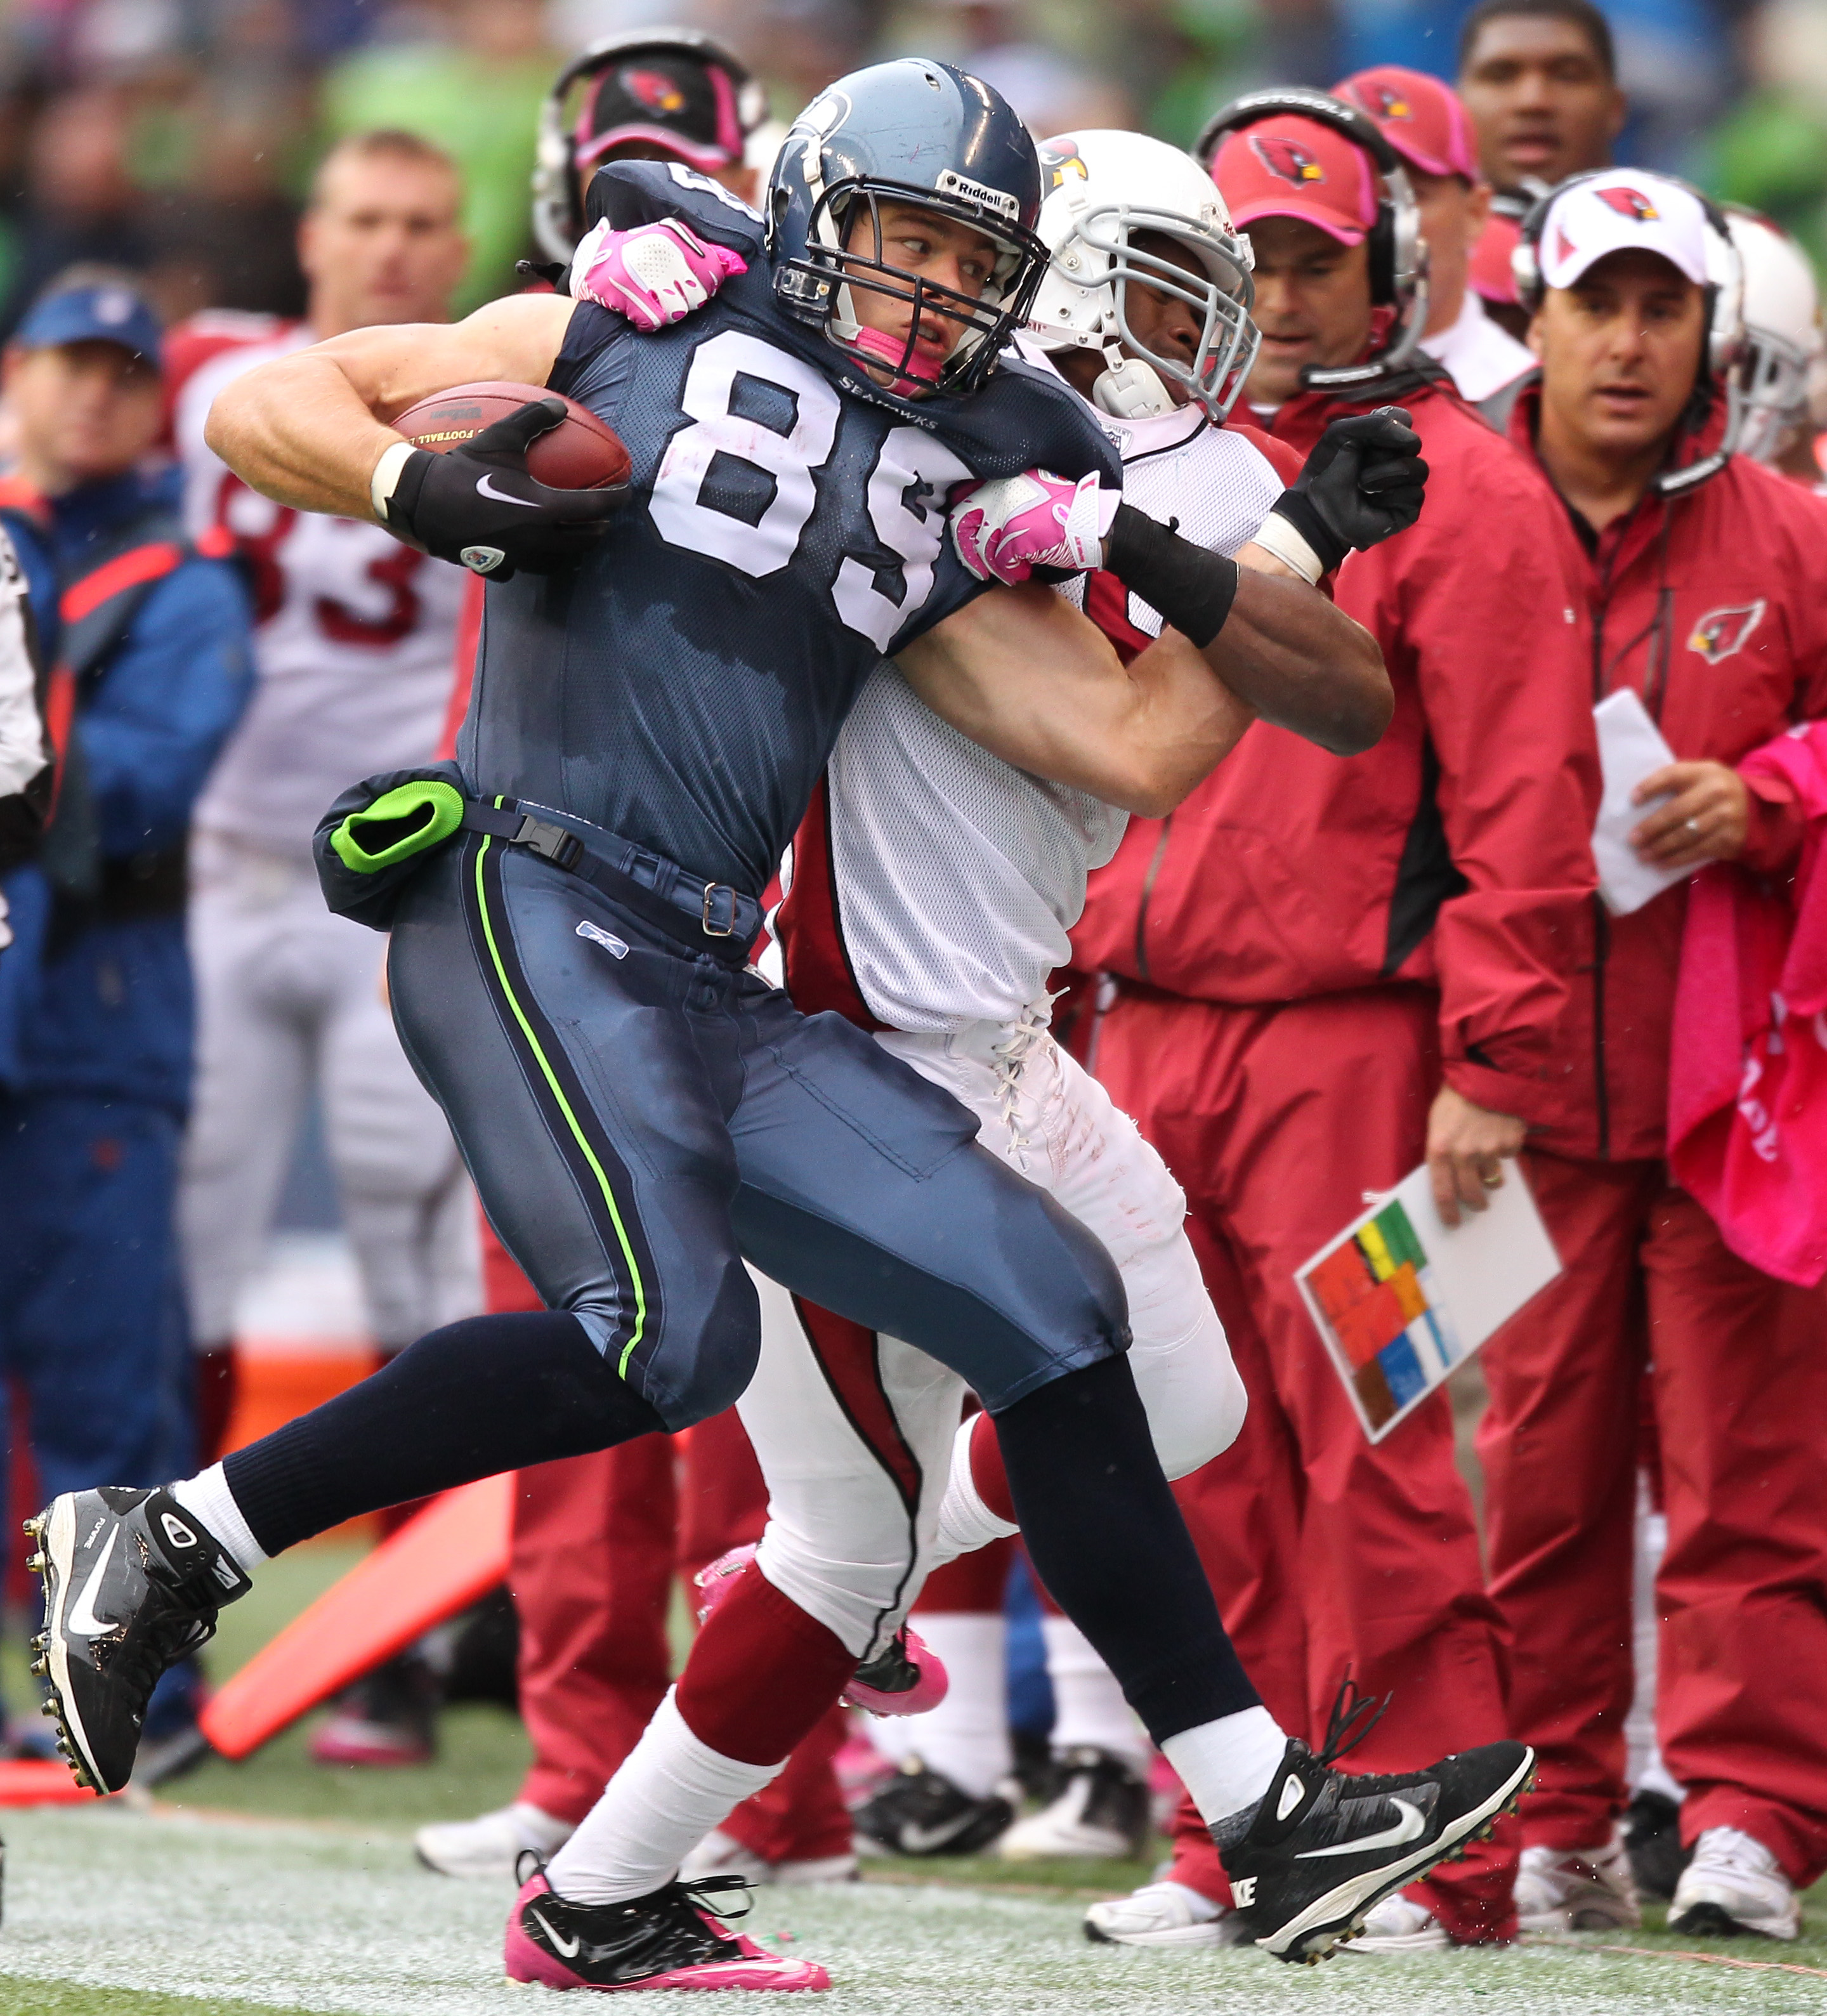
(638, 1120)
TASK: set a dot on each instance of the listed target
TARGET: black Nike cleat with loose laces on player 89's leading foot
(1312, 1858)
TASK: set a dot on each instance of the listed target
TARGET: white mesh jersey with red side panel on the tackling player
(935, 884)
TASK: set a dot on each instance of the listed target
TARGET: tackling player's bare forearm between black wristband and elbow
(1298, 660)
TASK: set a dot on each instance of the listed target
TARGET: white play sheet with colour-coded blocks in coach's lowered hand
(1400, 1297)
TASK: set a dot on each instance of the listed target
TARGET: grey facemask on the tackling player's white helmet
(1223, 299)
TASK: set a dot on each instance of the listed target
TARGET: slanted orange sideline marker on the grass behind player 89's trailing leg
(439, 1563)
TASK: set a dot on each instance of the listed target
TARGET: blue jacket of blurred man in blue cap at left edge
(98, 999)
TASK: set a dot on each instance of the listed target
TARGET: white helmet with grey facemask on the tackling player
(1100, 191)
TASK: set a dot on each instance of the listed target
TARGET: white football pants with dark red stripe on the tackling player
(856, 1432)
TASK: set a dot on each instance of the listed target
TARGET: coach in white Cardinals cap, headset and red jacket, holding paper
(1709, 600)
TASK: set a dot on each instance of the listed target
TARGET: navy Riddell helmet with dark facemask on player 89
(908, 132)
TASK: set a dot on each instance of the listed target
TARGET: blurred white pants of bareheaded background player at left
(289, 999)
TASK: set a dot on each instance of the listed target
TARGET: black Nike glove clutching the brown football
(479, 505)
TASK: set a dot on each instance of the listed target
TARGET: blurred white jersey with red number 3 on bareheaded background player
(354, 636)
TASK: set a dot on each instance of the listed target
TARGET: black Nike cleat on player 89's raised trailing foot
(132, 1584)
